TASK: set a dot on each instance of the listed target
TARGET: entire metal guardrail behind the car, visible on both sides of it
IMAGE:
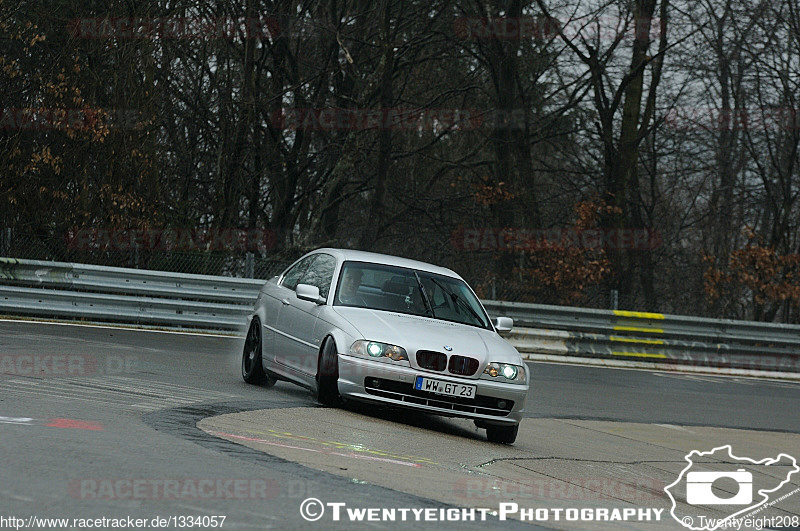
(176, 300)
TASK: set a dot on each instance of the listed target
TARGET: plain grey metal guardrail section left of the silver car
(125, 296)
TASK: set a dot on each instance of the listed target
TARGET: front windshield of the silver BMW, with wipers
(402, 290)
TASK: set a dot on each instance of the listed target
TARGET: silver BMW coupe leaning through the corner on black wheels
(352, 325)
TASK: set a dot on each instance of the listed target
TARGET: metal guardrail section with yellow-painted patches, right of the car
(653, 337)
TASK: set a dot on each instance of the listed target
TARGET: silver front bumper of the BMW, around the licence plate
(391, 384)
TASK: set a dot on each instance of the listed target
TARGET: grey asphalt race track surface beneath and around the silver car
(104, 422)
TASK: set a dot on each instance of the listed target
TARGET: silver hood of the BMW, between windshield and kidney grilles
(414, 333)
